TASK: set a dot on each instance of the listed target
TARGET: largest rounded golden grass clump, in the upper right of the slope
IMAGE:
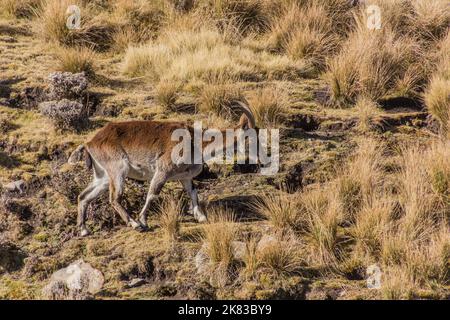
(377, 65)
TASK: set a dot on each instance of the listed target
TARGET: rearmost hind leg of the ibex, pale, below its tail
(97, 187)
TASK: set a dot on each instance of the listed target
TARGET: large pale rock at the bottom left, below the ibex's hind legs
(78, 281)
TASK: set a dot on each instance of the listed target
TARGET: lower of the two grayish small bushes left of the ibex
(65, 114)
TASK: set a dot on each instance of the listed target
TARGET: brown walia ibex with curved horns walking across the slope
(140, 150)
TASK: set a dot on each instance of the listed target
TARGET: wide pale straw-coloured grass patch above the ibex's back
(204, 54)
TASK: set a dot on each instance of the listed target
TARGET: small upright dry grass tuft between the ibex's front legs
(170, 215)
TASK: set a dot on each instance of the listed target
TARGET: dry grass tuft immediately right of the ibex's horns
(269, 105)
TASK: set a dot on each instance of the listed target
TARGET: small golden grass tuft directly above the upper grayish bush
(75, 60)
